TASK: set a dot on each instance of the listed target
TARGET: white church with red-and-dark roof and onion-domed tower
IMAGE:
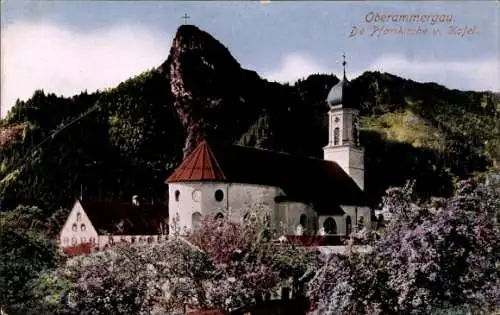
(298, 195)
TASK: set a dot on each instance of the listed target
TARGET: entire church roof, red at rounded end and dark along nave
(301, 178)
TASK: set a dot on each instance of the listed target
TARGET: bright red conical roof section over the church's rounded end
(199, 165)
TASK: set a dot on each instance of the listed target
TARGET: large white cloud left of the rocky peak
(62, 61)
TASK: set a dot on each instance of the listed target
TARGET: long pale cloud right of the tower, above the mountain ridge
(473, 74)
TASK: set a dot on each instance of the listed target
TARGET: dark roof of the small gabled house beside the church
(125, 218)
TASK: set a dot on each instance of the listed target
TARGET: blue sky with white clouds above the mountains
(65, 47)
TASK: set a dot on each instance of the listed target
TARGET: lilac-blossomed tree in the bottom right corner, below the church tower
(432, 257)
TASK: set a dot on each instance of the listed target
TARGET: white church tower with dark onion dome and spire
(343, 131)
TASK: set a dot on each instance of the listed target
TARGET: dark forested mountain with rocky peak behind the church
(119, 142)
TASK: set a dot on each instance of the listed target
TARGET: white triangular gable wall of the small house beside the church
(77, 229)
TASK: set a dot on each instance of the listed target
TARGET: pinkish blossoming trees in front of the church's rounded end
(221, 265)
